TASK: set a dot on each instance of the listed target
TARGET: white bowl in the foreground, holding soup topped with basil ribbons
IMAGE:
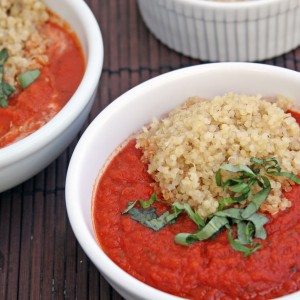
(128, 114)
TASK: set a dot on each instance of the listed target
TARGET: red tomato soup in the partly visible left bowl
(32, 108)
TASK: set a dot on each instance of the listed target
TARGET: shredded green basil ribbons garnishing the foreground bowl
(248, 222)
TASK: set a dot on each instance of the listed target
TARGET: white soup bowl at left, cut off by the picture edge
(30, 155)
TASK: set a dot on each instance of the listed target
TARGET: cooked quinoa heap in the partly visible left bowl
(20, 21)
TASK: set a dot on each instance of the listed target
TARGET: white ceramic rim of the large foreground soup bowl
(83, 234)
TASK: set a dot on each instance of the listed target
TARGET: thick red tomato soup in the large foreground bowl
(204, 270)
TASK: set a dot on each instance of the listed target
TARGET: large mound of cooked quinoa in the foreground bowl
(185, 149)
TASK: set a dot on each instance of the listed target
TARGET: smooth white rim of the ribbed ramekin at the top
(228, 5)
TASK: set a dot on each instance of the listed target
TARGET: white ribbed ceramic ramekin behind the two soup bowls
(225, 31)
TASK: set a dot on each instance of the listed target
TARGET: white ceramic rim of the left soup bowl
(75, 105)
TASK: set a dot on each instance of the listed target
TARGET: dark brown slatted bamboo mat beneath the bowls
(39, 255)
